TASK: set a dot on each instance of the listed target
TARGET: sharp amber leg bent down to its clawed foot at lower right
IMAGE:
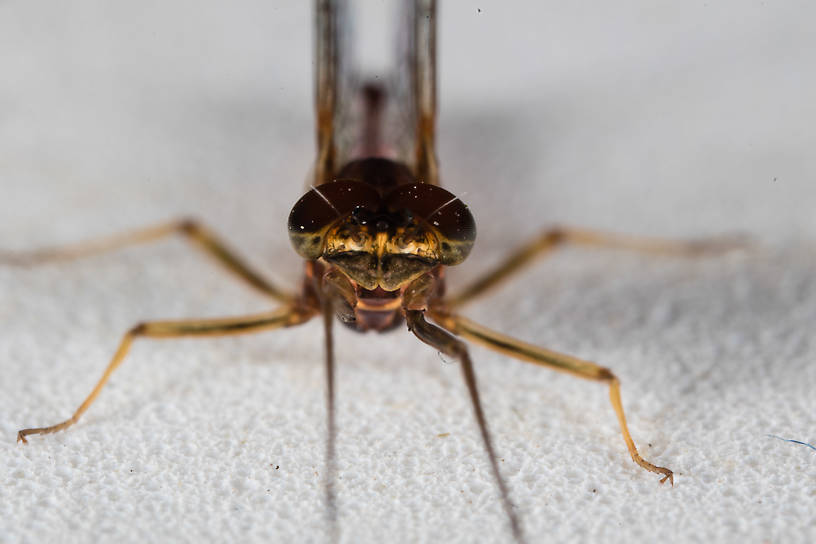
(551, 359)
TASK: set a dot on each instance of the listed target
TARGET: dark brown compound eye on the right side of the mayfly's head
(444, 212)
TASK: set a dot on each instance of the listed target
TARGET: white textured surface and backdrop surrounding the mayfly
(671, 119)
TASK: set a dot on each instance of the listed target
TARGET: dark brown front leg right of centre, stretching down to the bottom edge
(446, 343)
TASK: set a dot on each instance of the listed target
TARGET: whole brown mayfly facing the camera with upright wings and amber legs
(376, 230)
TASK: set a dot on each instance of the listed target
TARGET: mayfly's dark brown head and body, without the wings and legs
(411, 227)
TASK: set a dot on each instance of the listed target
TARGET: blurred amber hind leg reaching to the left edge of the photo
(193, 231)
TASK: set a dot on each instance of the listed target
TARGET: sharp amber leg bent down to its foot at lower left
(286, 317)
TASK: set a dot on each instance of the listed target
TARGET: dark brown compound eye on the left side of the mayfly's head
(322, 207)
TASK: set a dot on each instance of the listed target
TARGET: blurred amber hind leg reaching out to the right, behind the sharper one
(551, 239)
